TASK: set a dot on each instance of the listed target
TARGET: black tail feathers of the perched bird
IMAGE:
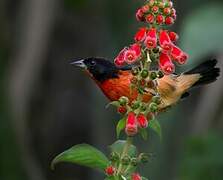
(208, 71)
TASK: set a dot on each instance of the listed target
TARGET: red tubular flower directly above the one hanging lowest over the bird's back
(165, 41)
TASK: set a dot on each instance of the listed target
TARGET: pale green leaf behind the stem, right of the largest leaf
(119, 145)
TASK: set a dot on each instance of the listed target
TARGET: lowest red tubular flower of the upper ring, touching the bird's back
(166, 64)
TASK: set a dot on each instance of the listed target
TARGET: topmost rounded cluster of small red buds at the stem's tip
(157, 12)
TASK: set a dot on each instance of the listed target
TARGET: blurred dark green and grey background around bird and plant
(47, 106)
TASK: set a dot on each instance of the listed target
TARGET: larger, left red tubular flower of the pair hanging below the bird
(131, 124)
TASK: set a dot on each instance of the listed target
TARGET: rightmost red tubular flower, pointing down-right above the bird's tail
(178, 55)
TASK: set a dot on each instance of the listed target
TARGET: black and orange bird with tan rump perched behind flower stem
(115, 82)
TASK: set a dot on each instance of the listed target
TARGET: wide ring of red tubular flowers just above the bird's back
(158, 43)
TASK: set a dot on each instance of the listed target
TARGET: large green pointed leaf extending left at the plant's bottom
(83, 154)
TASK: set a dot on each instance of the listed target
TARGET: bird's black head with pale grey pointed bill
(101, 69)
